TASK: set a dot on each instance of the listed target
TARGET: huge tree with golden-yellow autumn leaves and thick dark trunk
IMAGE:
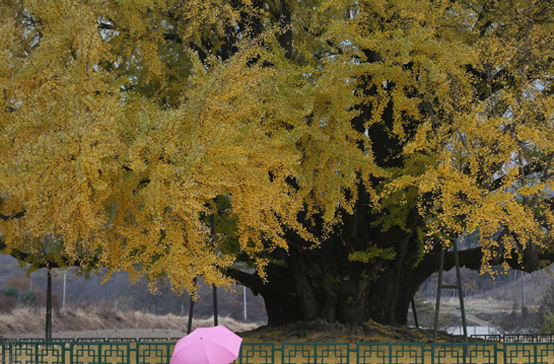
(344, 142)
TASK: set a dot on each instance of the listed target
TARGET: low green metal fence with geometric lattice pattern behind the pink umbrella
(19, 352)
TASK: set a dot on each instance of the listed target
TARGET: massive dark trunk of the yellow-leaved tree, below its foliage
(324, 284)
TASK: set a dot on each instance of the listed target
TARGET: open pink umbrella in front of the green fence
(209, 345)
